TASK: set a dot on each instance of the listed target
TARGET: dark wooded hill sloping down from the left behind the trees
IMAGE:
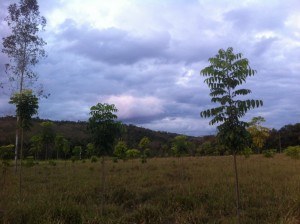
(77, 133)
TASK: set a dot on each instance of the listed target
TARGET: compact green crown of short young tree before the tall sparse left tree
(26, 106)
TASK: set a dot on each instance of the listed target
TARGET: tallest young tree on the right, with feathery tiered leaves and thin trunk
(224, 74)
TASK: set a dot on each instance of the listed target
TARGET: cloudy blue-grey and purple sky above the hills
(145, 56)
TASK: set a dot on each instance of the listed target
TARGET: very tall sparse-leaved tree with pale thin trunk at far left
(23, 47)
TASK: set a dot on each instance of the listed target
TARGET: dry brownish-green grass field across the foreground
(163, 190)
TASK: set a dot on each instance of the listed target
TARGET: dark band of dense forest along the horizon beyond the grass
(77, 135)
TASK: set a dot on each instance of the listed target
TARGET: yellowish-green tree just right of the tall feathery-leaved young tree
(258, 133)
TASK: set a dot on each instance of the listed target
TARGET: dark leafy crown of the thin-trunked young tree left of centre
(104, 127)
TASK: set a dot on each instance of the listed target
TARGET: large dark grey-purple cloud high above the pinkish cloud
(112, 45)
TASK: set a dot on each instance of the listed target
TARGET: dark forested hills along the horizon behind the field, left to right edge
(77, 134)
